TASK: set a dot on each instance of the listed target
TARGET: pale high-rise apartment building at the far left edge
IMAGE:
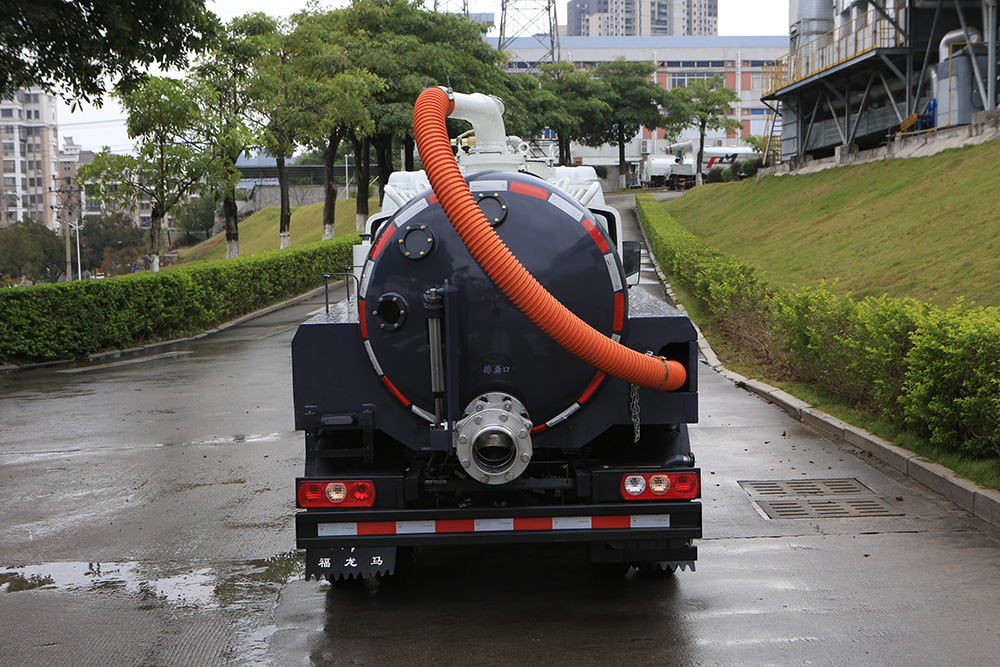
(28, 132)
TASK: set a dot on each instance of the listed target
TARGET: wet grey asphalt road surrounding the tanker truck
(147, 520)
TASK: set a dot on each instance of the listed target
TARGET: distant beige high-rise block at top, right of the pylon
(641, 18)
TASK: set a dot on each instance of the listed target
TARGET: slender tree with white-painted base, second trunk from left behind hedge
(226, 74)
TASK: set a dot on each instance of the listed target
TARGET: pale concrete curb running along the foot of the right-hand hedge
(977, 500)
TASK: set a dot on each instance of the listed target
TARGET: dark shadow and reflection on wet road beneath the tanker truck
(507, 606)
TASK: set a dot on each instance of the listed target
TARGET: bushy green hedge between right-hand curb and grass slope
(937, 372)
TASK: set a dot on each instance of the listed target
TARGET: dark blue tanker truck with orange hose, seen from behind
(493, 380)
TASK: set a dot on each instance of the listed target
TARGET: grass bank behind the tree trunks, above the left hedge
(259, 232)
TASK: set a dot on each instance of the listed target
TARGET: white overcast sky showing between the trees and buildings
(93, 128)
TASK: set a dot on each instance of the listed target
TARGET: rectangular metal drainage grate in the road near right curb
(811, 499)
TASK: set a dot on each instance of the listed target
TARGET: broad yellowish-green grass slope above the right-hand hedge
(927, 228)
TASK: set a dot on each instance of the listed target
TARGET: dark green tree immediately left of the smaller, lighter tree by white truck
(633, 102)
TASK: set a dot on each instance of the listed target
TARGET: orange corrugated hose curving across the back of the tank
(429, 113)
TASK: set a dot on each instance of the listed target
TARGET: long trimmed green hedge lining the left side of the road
(69, 320)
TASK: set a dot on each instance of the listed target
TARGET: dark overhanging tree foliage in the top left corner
(80, 45)
